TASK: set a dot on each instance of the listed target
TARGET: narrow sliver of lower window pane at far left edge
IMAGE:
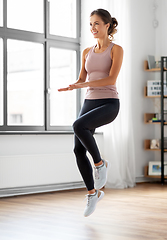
(1, 82)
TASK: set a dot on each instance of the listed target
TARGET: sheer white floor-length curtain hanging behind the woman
(118, 136)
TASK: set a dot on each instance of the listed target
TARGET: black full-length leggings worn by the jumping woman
(94, 113)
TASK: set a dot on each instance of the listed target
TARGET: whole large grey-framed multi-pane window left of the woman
(38, 57)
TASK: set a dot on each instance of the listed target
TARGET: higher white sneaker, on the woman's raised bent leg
(101, 175)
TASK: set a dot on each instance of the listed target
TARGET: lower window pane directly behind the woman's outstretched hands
(62, 73)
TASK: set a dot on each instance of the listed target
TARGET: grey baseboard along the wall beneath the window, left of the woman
(8, 192)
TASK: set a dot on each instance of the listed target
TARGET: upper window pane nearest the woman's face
(63, 18)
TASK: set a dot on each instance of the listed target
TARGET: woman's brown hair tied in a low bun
(106, 18)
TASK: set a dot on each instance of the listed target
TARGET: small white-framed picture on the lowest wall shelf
(154, 168)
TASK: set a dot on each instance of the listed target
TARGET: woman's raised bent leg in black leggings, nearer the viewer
(104, 112)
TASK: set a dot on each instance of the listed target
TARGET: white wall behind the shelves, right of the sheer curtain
(145, 40)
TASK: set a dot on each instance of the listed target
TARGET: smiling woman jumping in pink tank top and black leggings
(101, 63)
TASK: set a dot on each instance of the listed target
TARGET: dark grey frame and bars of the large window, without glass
(48, 41)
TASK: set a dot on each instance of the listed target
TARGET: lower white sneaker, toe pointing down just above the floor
(92, 200)
